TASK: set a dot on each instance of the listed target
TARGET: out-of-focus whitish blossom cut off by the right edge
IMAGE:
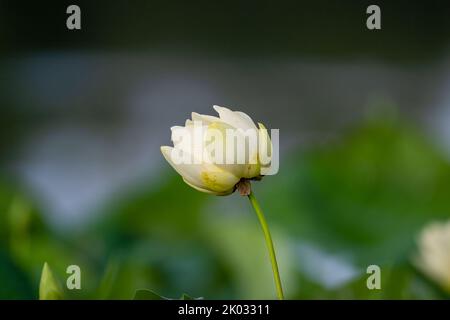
(434, 253)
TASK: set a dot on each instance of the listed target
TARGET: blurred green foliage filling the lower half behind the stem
(360, 200)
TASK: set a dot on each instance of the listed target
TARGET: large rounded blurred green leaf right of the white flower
(368, 193)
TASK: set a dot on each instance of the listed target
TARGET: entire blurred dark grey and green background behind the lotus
(364, 129)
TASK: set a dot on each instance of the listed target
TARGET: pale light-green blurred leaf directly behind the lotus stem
(239, 244)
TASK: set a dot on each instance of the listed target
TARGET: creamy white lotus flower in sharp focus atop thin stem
(214, 154)
